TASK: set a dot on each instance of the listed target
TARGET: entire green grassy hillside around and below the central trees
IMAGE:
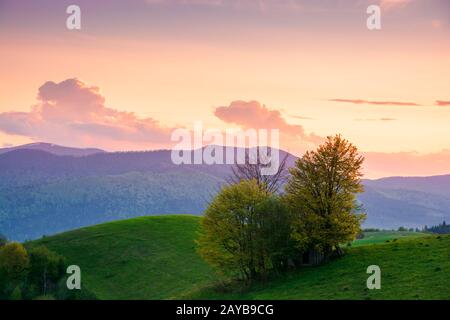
(155, 258)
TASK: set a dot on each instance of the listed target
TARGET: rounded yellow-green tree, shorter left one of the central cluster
(245, 231)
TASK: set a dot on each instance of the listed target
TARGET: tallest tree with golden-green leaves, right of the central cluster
(321, 193)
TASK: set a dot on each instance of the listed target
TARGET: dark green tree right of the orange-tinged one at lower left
(46, 268)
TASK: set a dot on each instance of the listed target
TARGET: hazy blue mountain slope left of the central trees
(42, 193)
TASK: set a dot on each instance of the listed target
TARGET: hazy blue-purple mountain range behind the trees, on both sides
(45, 189)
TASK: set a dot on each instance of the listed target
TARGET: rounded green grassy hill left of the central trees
(141, 258)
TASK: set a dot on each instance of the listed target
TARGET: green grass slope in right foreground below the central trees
(411, 268)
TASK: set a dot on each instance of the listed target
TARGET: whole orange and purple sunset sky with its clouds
(137, 70)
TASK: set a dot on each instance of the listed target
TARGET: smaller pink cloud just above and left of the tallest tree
(254, 115)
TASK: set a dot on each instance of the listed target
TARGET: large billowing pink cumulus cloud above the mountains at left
(73, 113)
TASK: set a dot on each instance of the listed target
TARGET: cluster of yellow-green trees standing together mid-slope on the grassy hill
(252, 228)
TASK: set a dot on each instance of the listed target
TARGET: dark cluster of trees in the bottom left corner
(28, 274)
